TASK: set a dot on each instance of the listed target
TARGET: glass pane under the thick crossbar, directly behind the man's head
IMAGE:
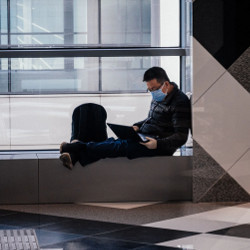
(126, 74)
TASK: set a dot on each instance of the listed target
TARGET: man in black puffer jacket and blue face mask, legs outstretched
(167, 127)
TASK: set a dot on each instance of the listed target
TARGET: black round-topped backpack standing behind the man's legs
(89, 123)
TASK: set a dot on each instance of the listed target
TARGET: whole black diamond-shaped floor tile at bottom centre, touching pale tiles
(146, 234)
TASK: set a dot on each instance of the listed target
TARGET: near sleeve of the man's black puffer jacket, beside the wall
(181, 121)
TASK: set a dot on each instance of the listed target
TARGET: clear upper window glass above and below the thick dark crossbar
(32, 24)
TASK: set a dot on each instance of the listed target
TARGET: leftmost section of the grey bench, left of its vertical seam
(19, 178)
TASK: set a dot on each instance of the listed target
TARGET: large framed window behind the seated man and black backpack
(84, 50)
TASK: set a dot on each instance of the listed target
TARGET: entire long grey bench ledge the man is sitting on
(39, 177)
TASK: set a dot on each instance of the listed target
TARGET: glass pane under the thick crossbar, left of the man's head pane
(53, 75)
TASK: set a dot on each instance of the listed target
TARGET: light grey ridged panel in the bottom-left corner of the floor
(24, 239)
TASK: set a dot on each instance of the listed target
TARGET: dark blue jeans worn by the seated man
(112, 148)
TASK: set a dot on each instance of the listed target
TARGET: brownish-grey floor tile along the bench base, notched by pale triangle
(147, 214)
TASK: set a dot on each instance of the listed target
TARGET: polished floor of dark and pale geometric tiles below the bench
(186, 225)
